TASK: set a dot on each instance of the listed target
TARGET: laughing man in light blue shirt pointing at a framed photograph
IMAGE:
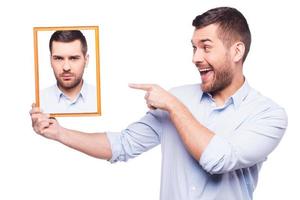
(214, 135)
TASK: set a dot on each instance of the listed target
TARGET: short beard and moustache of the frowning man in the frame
(67, 85)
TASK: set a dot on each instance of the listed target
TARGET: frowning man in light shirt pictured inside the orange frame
(69, 58)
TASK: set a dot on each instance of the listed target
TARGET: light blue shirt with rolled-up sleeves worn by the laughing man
(247, 129)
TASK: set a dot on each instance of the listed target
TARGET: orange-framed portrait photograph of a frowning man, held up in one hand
(67, 70)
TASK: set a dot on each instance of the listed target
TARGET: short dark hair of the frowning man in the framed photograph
(69, 36)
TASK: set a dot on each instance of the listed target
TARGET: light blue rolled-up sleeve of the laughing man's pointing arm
(250, 143)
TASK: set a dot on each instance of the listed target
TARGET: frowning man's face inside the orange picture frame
(68, 63)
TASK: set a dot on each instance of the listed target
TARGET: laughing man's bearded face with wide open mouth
(212, 59)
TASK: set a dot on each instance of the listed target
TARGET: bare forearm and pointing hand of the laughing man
(194, 135)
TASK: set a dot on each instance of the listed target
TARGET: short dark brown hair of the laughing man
(233, 25)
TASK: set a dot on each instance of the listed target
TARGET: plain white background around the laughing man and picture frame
(140, 41)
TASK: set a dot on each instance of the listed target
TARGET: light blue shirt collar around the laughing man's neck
(237, 98)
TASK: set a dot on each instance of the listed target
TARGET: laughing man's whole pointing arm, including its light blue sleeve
(249, 144)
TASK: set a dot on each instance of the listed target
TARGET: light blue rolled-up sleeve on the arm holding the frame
(136, 138)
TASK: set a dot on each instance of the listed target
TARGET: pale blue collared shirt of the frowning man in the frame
(53, 100)
